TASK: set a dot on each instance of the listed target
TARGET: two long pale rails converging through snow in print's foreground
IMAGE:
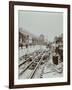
(34, 61)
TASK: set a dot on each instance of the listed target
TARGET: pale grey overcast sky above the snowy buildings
(50, 24)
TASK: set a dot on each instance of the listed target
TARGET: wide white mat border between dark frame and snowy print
(36, 81)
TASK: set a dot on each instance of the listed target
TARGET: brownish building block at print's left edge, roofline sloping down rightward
(26, 38)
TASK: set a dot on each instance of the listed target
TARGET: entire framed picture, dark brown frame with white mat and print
(41, 54)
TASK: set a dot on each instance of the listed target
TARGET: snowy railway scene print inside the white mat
(40, 44)
